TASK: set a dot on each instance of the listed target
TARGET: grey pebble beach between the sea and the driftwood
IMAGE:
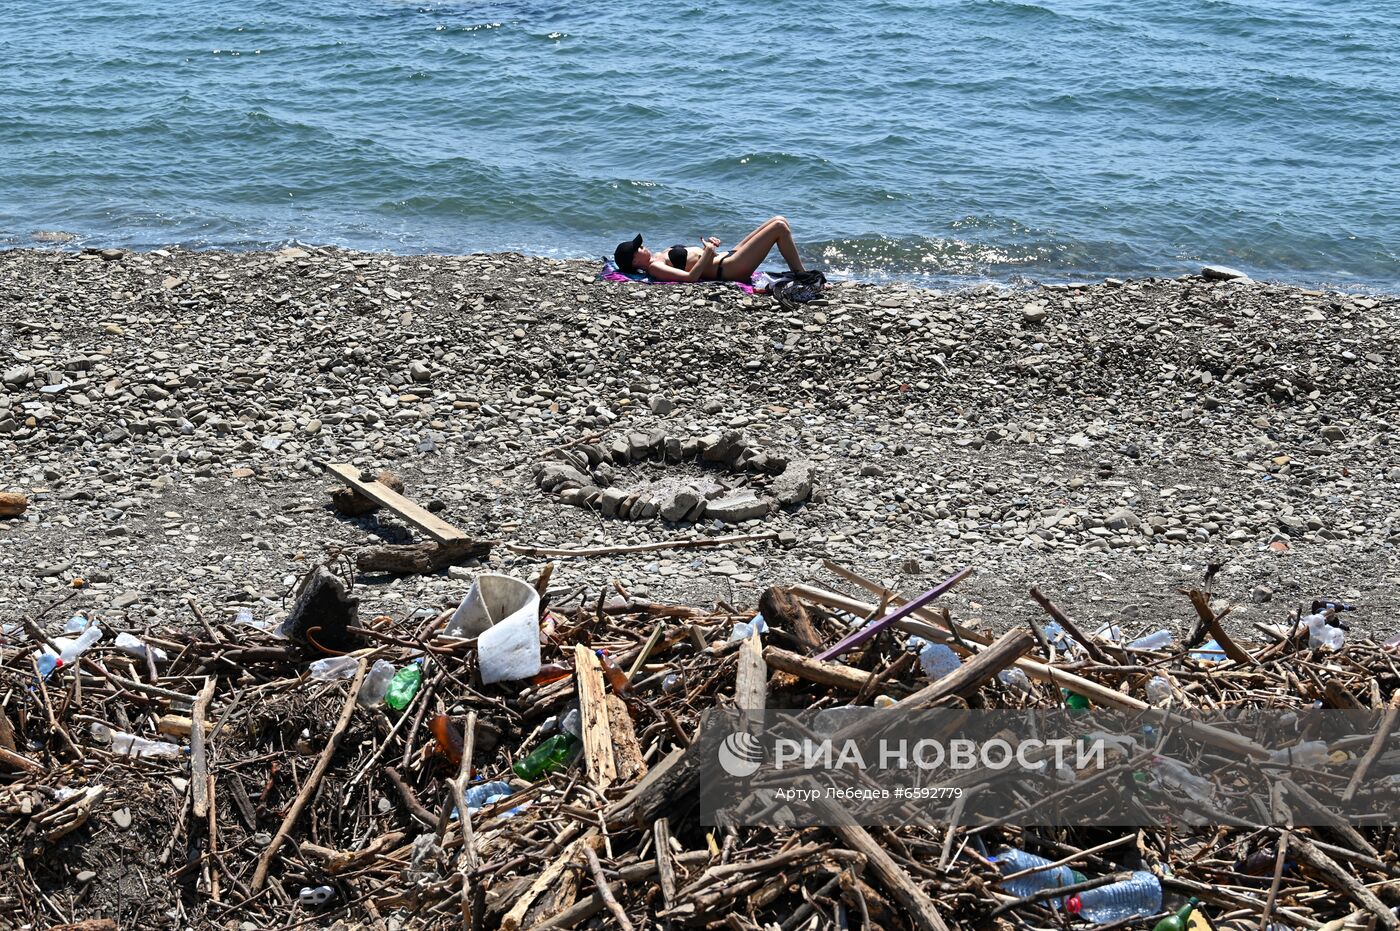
(1144, 429)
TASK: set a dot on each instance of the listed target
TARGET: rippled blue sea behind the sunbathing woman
(941, 142)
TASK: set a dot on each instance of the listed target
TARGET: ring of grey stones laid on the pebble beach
(751, 485)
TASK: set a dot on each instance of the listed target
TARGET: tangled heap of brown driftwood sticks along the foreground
(290, 783)
